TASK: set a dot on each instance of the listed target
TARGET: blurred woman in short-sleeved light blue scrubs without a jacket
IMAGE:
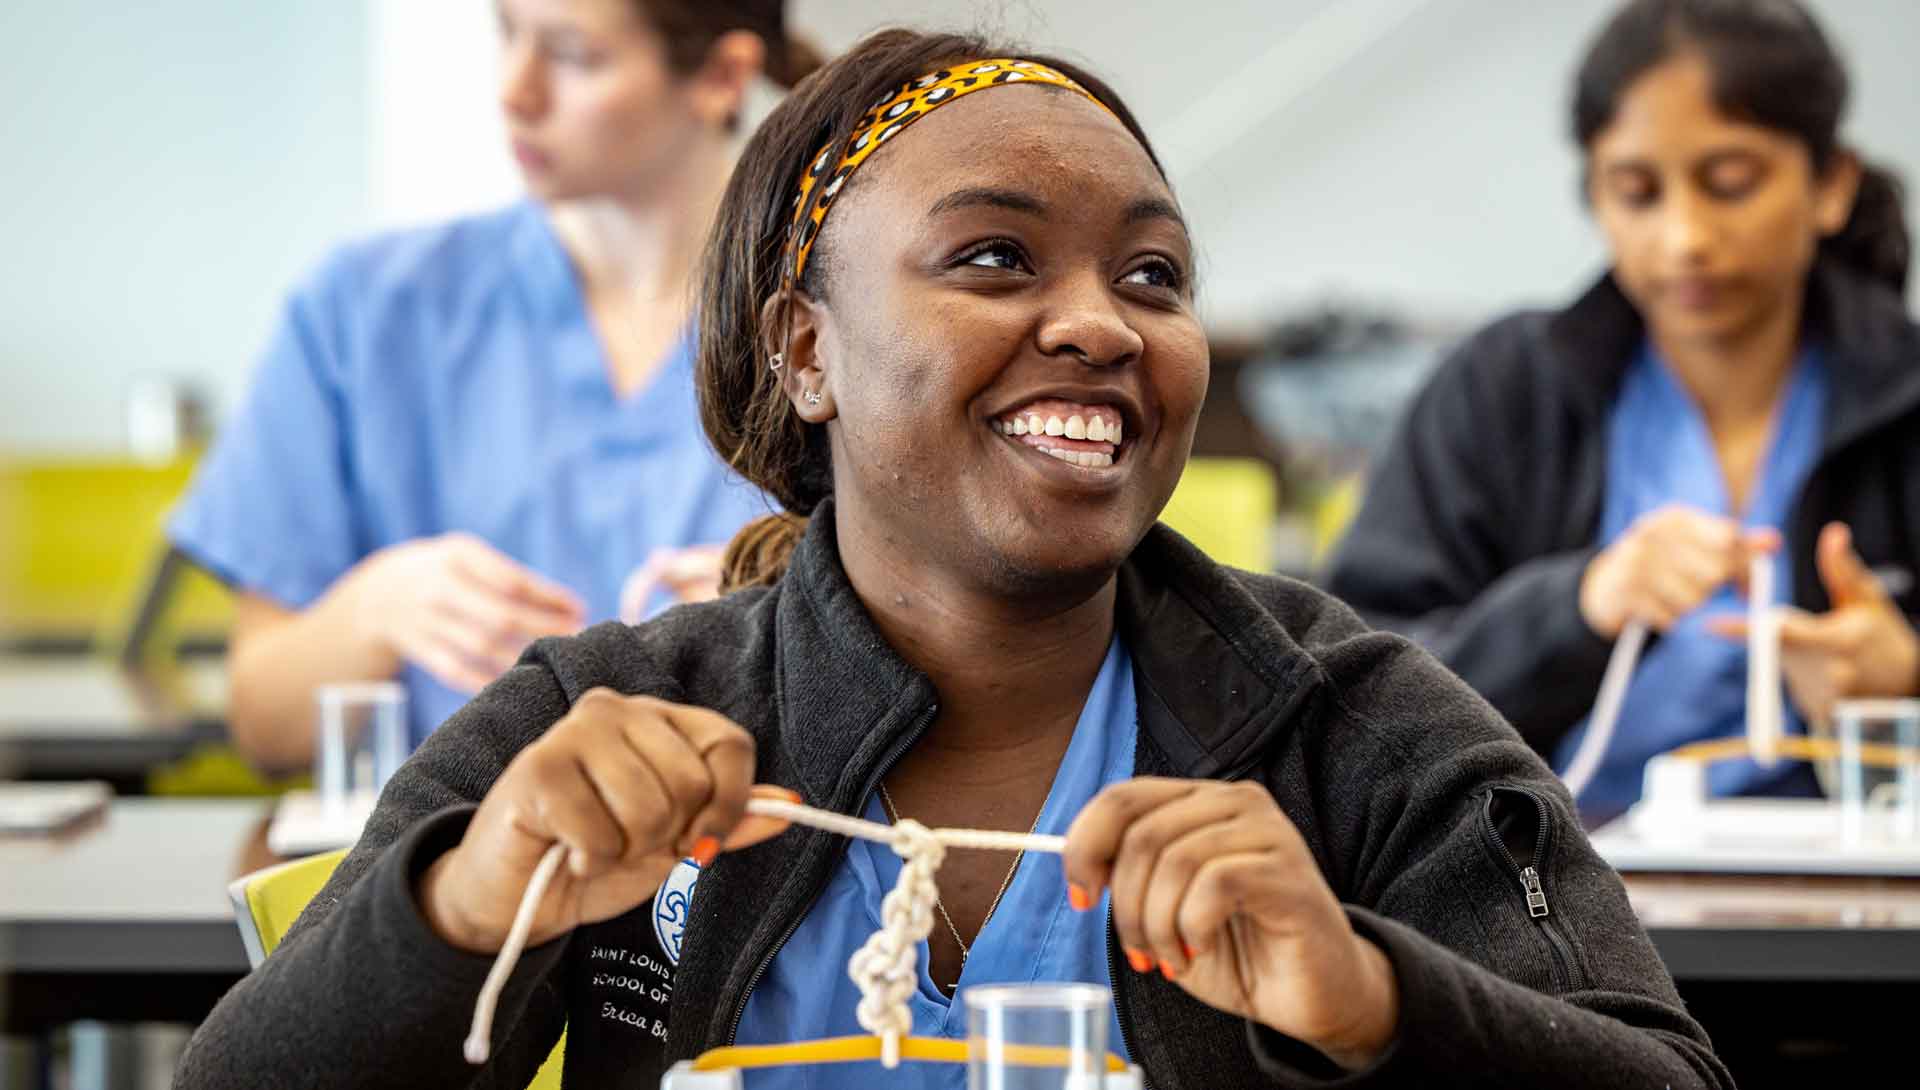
(481, 433)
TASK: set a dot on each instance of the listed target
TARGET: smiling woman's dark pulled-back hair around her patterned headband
(744, 406)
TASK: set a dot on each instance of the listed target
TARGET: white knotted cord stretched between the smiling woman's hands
(878, 968)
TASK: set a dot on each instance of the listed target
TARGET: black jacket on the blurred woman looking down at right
(1483, 515)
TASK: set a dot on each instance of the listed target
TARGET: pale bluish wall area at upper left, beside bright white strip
(168, 172)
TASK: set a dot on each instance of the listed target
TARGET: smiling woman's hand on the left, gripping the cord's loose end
(631, 786)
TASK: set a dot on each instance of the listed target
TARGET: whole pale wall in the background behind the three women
(172, 168)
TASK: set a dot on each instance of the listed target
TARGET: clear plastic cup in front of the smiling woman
(1038, 1037)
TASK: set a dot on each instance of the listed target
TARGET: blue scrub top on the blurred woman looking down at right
(1692, 684)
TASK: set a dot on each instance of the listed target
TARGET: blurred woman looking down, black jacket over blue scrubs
(1742, 383)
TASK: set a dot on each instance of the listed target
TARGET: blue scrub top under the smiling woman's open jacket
(1034, 936)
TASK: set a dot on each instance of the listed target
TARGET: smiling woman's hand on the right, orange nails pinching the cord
(1216, 889)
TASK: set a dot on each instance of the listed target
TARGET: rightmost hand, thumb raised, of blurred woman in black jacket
(1861, 648)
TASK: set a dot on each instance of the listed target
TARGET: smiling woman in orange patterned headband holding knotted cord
(976, 387)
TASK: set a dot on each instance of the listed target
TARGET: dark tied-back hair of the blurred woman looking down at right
(1771, 66)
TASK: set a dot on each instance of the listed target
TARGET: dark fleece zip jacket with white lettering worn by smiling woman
(1418, 803)
